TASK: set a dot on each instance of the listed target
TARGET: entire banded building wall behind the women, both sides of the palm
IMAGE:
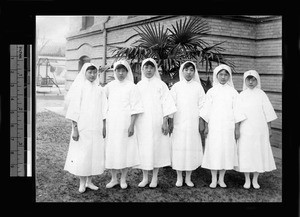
(251, 42)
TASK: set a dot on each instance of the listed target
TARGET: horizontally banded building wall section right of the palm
(253, 44)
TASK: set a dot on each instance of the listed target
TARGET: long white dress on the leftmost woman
(86, 156)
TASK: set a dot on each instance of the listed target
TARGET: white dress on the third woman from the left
(154, 146)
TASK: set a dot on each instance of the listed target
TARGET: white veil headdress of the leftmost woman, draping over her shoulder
(76, 87)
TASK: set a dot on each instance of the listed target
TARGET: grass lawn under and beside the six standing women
(53, 184)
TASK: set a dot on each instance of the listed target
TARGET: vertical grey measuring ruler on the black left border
(18, 113)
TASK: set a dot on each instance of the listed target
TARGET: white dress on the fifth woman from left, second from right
(221, 114)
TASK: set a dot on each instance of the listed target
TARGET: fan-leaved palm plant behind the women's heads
(172, 46)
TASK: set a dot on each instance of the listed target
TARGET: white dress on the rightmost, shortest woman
(254, 149)
